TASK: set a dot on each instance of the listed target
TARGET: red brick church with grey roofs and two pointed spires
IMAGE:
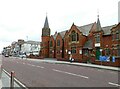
(85, 43)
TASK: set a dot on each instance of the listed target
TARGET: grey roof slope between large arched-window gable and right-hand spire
(85, 29)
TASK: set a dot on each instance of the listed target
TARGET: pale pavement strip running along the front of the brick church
(50, 60)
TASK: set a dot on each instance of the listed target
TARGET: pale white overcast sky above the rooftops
(24, 19)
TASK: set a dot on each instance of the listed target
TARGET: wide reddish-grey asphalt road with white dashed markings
(41, 74)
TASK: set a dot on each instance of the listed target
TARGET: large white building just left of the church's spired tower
(31, 47)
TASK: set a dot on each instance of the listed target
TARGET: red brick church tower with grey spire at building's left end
(45, 39)
